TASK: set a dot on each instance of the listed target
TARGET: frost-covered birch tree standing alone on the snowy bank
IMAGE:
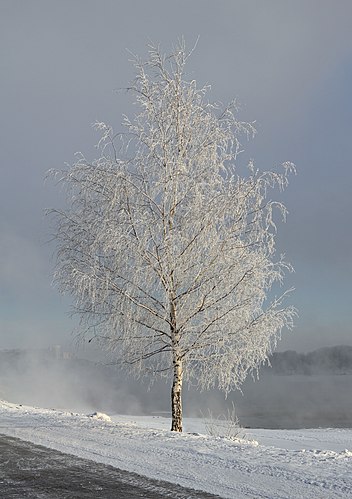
(168, 252)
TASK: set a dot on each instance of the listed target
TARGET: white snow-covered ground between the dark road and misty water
(265, 464)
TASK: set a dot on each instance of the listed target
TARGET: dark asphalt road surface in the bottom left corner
(32, 471)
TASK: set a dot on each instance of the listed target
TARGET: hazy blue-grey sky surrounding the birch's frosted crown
(289, 63)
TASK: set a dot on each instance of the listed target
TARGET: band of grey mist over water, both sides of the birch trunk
(282, 397)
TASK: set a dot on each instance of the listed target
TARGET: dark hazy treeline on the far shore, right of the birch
(329, 360)
